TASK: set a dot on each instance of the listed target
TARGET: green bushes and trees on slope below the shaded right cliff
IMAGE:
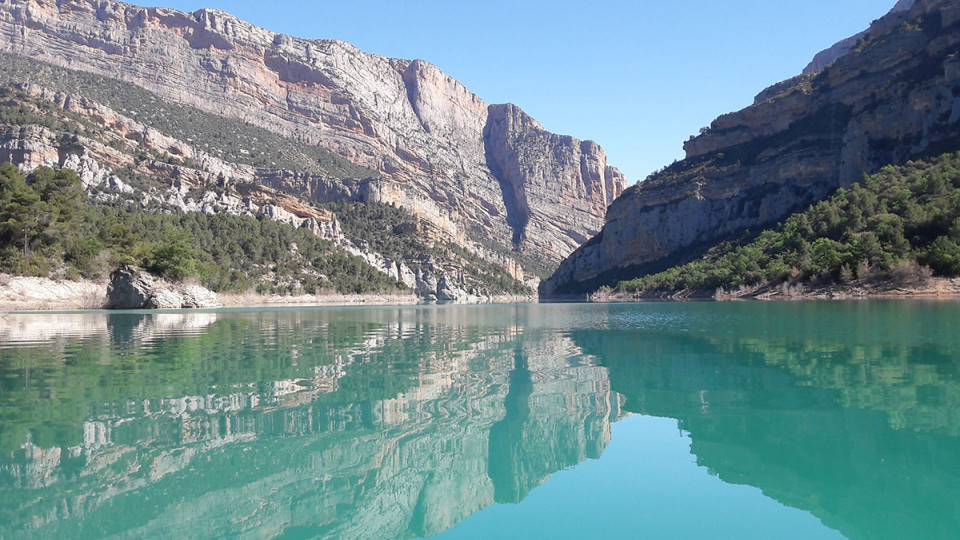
(889, 226)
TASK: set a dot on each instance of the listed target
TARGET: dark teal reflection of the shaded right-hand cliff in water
(850, 411)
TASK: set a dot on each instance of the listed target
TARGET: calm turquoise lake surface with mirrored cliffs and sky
(712, 420)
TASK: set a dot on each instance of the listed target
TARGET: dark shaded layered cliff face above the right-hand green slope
(891, 98)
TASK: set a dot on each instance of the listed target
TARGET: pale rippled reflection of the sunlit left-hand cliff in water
(384, 423)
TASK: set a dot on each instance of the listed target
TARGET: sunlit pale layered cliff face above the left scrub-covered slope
(440, 150)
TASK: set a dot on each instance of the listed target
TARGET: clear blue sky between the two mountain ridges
(637, 76)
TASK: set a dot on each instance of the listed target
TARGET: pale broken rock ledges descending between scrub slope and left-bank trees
(235, 190)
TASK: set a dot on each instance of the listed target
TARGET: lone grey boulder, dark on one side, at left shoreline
(133, 288)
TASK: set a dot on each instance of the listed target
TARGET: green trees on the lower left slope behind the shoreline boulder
(49, 227)
